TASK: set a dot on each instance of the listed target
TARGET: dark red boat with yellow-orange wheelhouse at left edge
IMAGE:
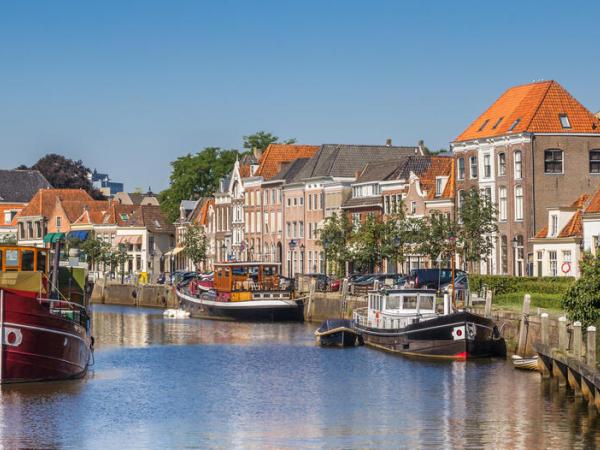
(45, 330)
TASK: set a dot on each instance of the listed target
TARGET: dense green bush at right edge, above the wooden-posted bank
(582, 299)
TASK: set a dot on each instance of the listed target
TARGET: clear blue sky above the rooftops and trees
(128, 86)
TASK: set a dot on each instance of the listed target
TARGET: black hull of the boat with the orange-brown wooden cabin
(206, 307)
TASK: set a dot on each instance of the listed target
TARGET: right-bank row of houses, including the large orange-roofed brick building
(535, 152)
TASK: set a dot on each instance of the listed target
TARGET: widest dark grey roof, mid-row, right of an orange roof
(343, 161)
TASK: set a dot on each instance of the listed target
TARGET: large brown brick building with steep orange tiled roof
(535, 147)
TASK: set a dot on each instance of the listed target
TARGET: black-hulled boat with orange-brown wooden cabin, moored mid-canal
(243, 291)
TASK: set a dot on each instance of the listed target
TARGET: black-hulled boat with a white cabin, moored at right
(406, 321)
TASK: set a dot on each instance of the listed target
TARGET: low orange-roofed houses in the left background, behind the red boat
(30, 209)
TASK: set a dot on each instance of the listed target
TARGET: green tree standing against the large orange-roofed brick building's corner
(475, 227)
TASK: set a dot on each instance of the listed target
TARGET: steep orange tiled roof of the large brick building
(537, 107)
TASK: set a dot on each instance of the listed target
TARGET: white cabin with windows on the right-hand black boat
(397, 308)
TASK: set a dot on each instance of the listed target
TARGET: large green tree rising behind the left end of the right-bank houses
(195, 176)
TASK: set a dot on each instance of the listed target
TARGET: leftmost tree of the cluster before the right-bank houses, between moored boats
(335, 237)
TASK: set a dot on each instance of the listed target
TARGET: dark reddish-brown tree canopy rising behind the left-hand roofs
(65, 173)
